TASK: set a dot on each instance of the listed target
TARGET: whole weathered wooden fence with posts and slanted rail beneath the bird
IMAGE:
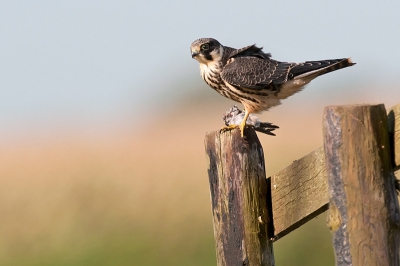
(351, 176)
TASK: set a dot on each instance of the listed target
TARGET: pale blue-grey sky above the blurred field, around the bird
(95, 63)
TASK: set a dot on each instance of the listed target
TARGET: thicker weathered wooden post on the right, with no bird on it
(363, 213)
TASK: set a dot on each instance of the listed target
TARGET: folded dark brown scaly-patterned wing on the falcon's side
(255, 73)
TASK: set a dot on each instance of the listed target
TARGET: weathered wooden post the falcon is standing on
(240, 196)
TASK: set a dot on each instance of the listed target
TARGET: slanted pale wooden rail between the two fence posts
(299, 193)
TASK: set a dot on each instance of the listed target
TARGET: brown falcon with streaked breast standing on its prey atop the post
(249, 76)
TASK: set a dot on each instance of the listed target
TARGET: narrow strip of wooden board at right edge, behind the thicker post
(394, 133)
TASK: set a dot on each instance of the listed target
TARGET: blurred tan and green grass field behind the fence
(136, 197)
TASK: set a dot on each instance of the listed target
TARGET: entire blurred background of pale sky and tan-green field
(103, 116)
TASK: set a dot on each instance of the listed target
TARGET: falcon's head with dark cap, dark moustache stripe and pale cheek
(206, 50)
